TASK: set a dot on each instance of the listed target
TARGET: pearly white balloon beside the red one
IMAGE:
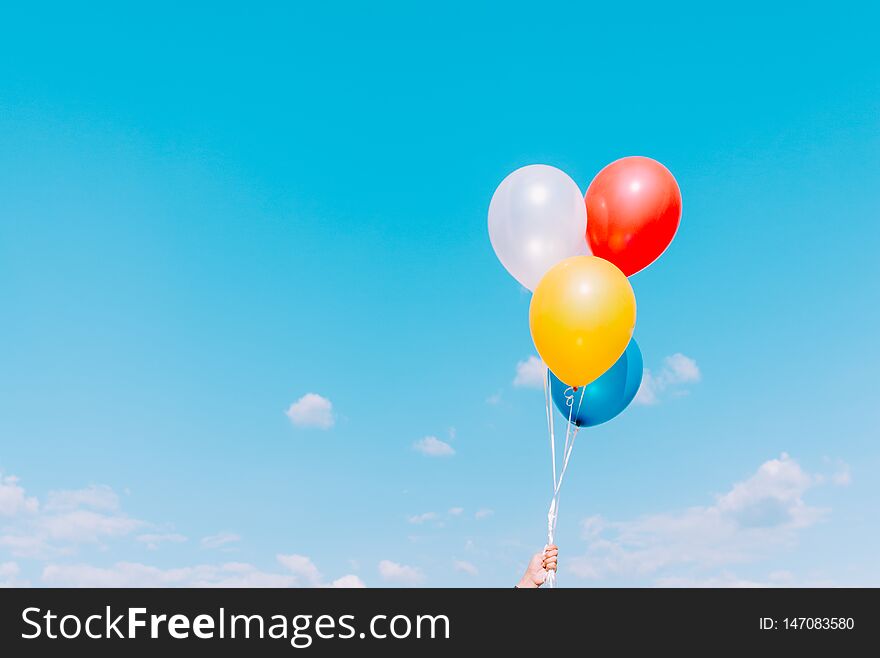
(536, 219)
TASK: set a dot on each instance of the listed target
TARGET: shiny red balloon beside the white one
(633, 211)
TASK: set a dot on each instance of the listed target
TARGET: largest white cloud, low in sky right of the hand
(757, 516)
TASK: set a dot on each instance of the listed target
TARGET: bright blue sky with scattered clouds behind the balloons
(208, 213)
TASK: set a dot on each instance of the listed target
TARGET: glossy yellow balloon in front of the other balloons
(582, 317)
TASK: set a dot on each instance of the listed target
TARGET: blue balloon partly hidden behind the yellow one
(606, 397)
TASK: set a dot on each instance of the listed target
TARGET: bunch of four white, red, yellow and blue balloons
(575, 253)
